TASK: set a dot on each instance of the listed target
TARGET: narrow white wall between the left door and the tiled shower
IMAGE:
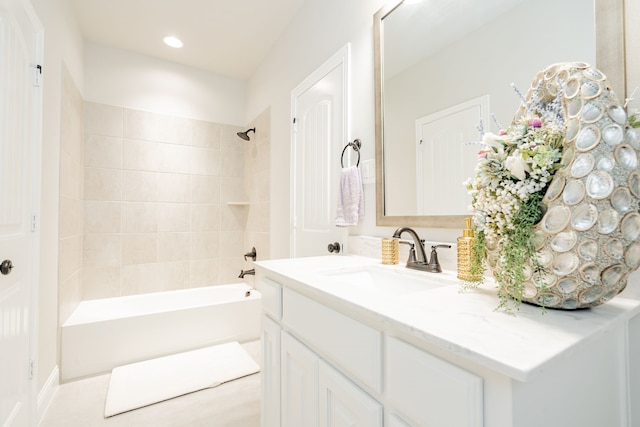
(62, 45)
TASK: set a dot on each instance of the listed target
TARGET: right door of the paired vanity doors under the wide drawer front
(342, 403)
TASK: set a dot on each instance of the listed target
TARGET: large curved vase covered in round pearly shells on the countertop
(587, 239)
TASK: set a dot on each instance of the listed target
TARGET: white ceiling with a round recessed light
(225, 37)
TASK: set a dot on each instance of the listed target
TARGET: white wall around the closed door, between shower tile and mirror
(318, 31)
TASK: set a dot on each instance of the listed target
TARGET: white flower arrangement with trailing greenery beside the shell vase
(513, 172)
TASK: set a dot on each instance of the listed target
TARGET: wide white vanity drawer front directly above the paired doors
(348, 343)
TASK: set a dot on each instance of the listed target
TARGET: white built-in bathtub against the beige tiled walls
(105, 333)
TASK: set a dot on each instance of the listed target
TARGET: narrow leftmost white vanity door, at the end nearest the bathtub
(270, 411)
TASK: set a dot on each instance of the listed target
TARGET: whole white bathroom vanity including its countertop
(439, 358)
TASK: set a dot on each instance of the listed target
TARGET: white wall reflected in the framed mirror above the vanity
(495, 59)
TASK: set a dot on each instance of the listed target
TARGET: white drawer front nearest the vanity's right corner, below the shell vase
(429, 390)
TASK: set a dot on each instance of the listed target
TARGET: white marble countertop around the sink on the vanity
(520, 346)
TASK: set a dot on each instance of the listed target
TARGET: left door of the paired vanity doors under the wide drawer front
(299, 384)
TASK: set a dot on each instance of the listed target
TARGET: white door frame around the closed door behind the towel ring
(339, 58)
